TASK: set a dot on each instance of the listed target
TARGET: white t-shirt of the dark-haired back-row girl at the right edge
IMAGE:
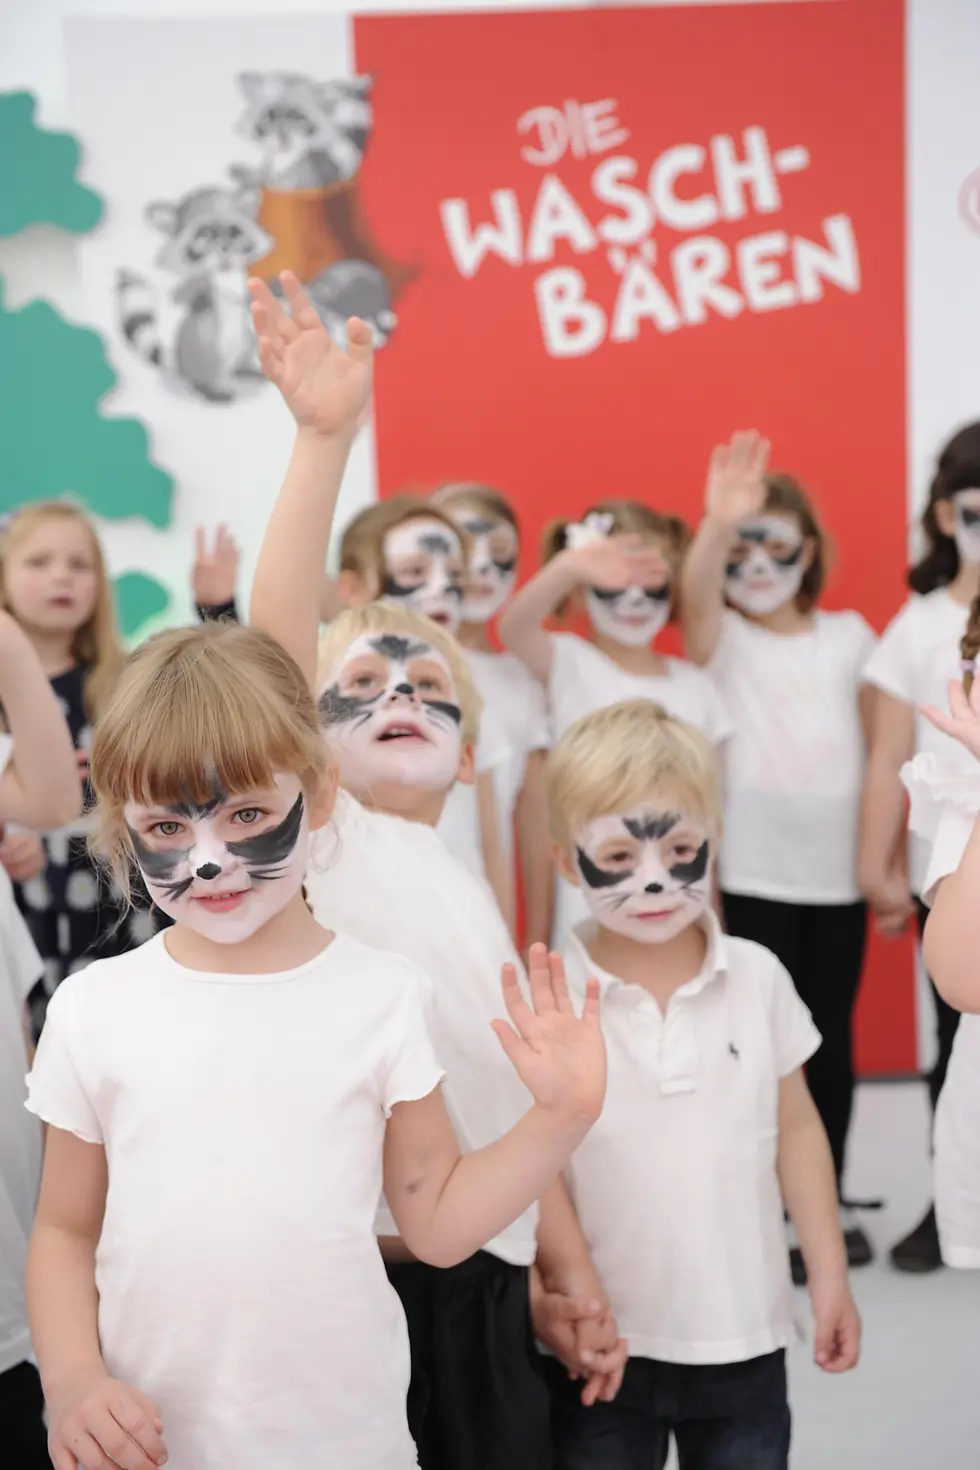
(915, 661)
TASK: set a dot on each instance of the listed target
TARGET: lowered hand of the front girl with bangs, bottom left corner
(107, 1422)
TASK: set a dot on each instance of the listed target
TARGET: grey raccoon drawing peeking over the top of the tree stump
(312, 135)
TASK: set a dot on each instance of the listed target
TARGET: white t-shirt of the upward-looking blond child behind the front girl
(393, 884)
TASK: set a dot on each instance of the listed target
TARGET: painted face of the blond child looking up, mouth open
(392, 715)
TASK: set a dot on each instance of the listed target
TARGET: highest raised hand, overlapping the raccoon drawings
(325, 389)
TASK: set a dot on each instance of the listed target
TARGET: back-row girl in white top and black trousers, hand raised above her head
(791, 677)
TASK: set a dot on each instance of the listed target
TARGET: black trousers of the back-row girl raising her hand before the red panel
(822, 946)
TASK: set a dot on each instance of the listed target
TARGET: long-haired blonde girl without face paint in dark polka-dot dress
(54, 583)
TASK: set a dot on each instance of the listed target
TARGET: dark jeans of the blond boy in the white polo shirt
(731, 1416)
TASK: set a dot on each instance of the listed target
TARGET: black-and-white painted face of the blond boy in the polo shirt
(646, 874)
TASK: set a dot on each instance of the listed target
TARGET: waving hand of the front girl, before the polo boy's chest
(559, 1056)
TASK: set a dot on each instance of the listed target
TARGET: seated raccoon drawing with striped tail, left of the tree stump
(202, 336)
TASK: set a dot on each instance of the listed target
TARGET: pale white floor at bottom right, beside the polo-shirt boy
(915, 1400)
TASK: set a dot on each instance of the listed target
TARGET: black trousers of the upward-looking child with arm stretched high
(478, 1400)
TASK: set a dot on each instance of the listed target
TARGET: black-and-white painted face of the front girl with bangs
(217, 874)
